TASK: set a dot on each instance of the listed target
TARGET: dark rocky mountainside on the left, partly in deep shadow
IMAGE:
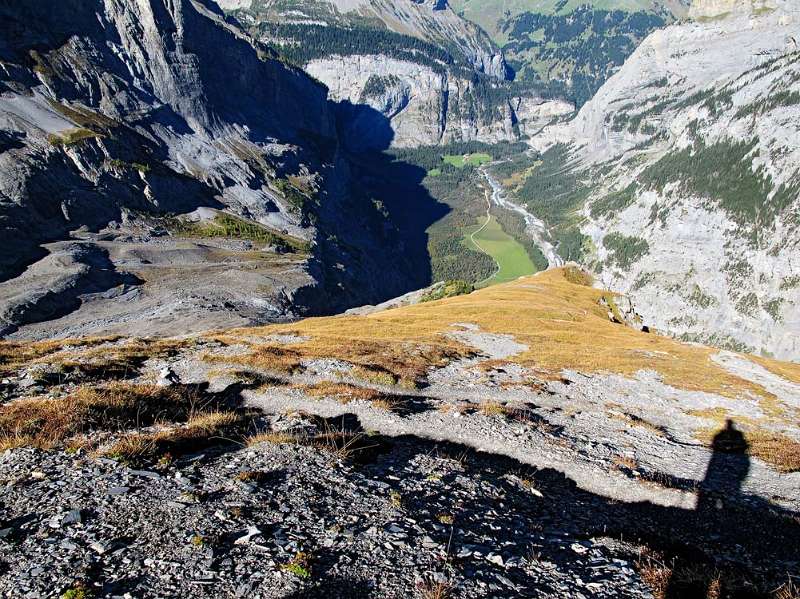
(117, 118)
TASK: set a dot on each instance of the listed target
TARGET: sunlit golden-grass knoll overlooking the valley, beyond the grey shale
(561, 323)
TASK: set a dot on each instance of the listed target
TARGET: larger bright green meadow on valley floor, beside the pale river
(511, 258)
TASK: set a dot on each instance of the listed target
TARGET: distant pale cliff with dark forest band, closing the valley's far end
(435, 76)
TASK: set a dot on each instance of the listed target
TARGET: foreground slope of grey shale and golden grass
(519, 440)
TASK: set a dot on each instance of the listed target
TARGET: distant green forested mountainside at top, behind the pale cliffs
(570, 47)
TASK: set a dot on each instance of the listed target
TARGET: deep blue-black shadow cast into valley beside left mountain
(375, 224)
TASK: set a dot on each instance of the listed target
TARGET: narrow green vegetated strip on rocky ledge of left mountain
(234, 227)
